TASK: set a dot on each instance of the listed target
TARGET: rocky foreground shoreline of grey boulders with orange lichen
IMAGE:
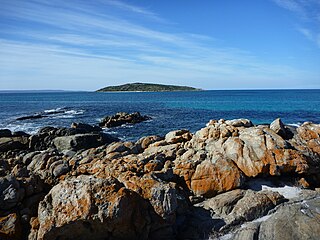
(218, 183)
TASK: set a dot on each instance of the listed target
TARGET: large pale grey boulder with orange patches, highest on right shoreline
(255, 150)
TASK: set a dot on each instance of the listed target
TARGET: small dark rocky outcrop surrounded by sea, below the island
(122, 118)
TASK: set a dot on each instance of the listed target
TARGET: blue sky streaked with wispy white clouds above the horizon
(210, 44)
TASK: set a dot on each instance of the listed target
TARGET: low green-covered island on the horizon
(146, 87)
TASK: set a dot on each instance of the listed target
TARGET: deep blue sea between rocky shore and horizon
(169, 110)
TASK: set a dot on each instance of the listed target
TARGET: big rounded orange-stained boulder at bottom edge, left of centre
(90, 208)
